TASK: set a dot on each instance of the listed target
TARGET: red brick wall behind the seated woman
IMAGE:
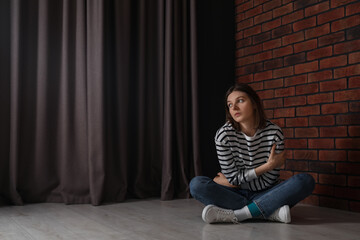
(303, 58)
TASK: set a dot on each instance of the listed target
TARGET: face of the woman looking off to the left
(240, 107)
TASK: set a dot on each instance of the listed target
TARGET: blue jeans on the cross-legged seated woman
(288, 192)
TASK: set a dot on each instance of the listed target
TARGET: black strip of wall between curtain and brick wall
(216, 51)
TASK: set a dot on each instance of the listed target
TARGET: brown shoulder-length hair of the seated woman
(260, 118)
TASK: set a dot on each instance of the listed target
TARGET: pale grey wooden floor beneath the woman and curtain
(155, 219)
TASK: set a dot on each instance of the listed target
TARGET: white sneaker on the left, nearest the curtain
(214, 214)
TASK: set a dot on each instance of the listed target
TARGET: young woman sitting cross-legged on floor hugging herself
(250, 151)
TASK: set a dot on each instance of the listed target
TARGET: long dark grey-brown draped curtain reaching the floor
(98, 100)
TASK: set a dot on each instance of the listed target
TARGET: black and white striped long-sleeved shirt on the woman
(239, 155)
